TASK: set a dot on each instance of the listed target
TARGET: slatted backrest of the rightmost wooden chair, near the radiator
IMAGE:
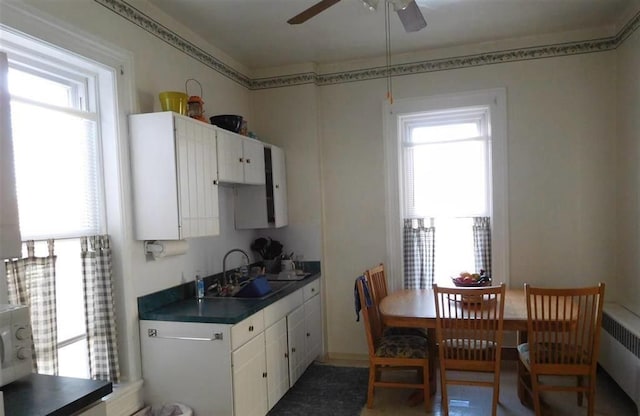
(564, 326)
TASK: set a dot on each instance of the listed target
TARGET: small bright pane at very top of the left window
(41, 89)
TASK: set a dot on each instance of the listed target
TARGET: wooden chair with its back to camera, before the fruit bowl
(469, 332)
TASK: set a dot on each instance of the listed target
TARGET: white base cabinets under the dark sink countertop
(233, 370)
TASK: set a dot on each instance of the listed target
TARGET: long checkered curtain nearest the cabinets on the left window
(100, 317)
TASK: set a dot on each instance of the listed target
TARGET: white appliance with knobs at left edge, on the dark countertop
(15, 343)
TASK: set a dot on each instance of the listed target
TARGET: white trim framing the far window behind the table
(496, 100)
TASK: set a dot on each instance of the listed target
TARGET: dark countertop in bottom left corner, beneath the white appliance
(44, 395)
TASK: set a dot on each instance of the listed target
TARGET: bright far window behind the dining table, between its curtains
(446, 177)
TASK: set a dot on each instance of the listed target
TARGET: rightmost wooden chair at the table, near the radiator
(563, 340)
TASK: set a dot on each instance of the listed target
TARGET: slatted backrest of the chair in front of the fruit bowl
(469, 325)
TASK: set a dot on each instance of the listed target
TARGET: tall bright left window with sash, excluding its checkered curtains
(58, 166)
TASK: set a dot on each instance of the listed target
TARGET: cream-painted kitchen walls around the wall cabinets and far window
(563, 163)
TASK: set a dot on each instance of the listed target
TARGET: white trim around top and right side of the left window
(26, 20)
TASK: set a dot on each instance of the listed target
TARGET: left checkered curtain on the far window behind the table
(419, 253)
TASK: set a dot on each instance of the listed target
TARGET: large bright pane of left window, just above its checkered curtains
(56, 173)
